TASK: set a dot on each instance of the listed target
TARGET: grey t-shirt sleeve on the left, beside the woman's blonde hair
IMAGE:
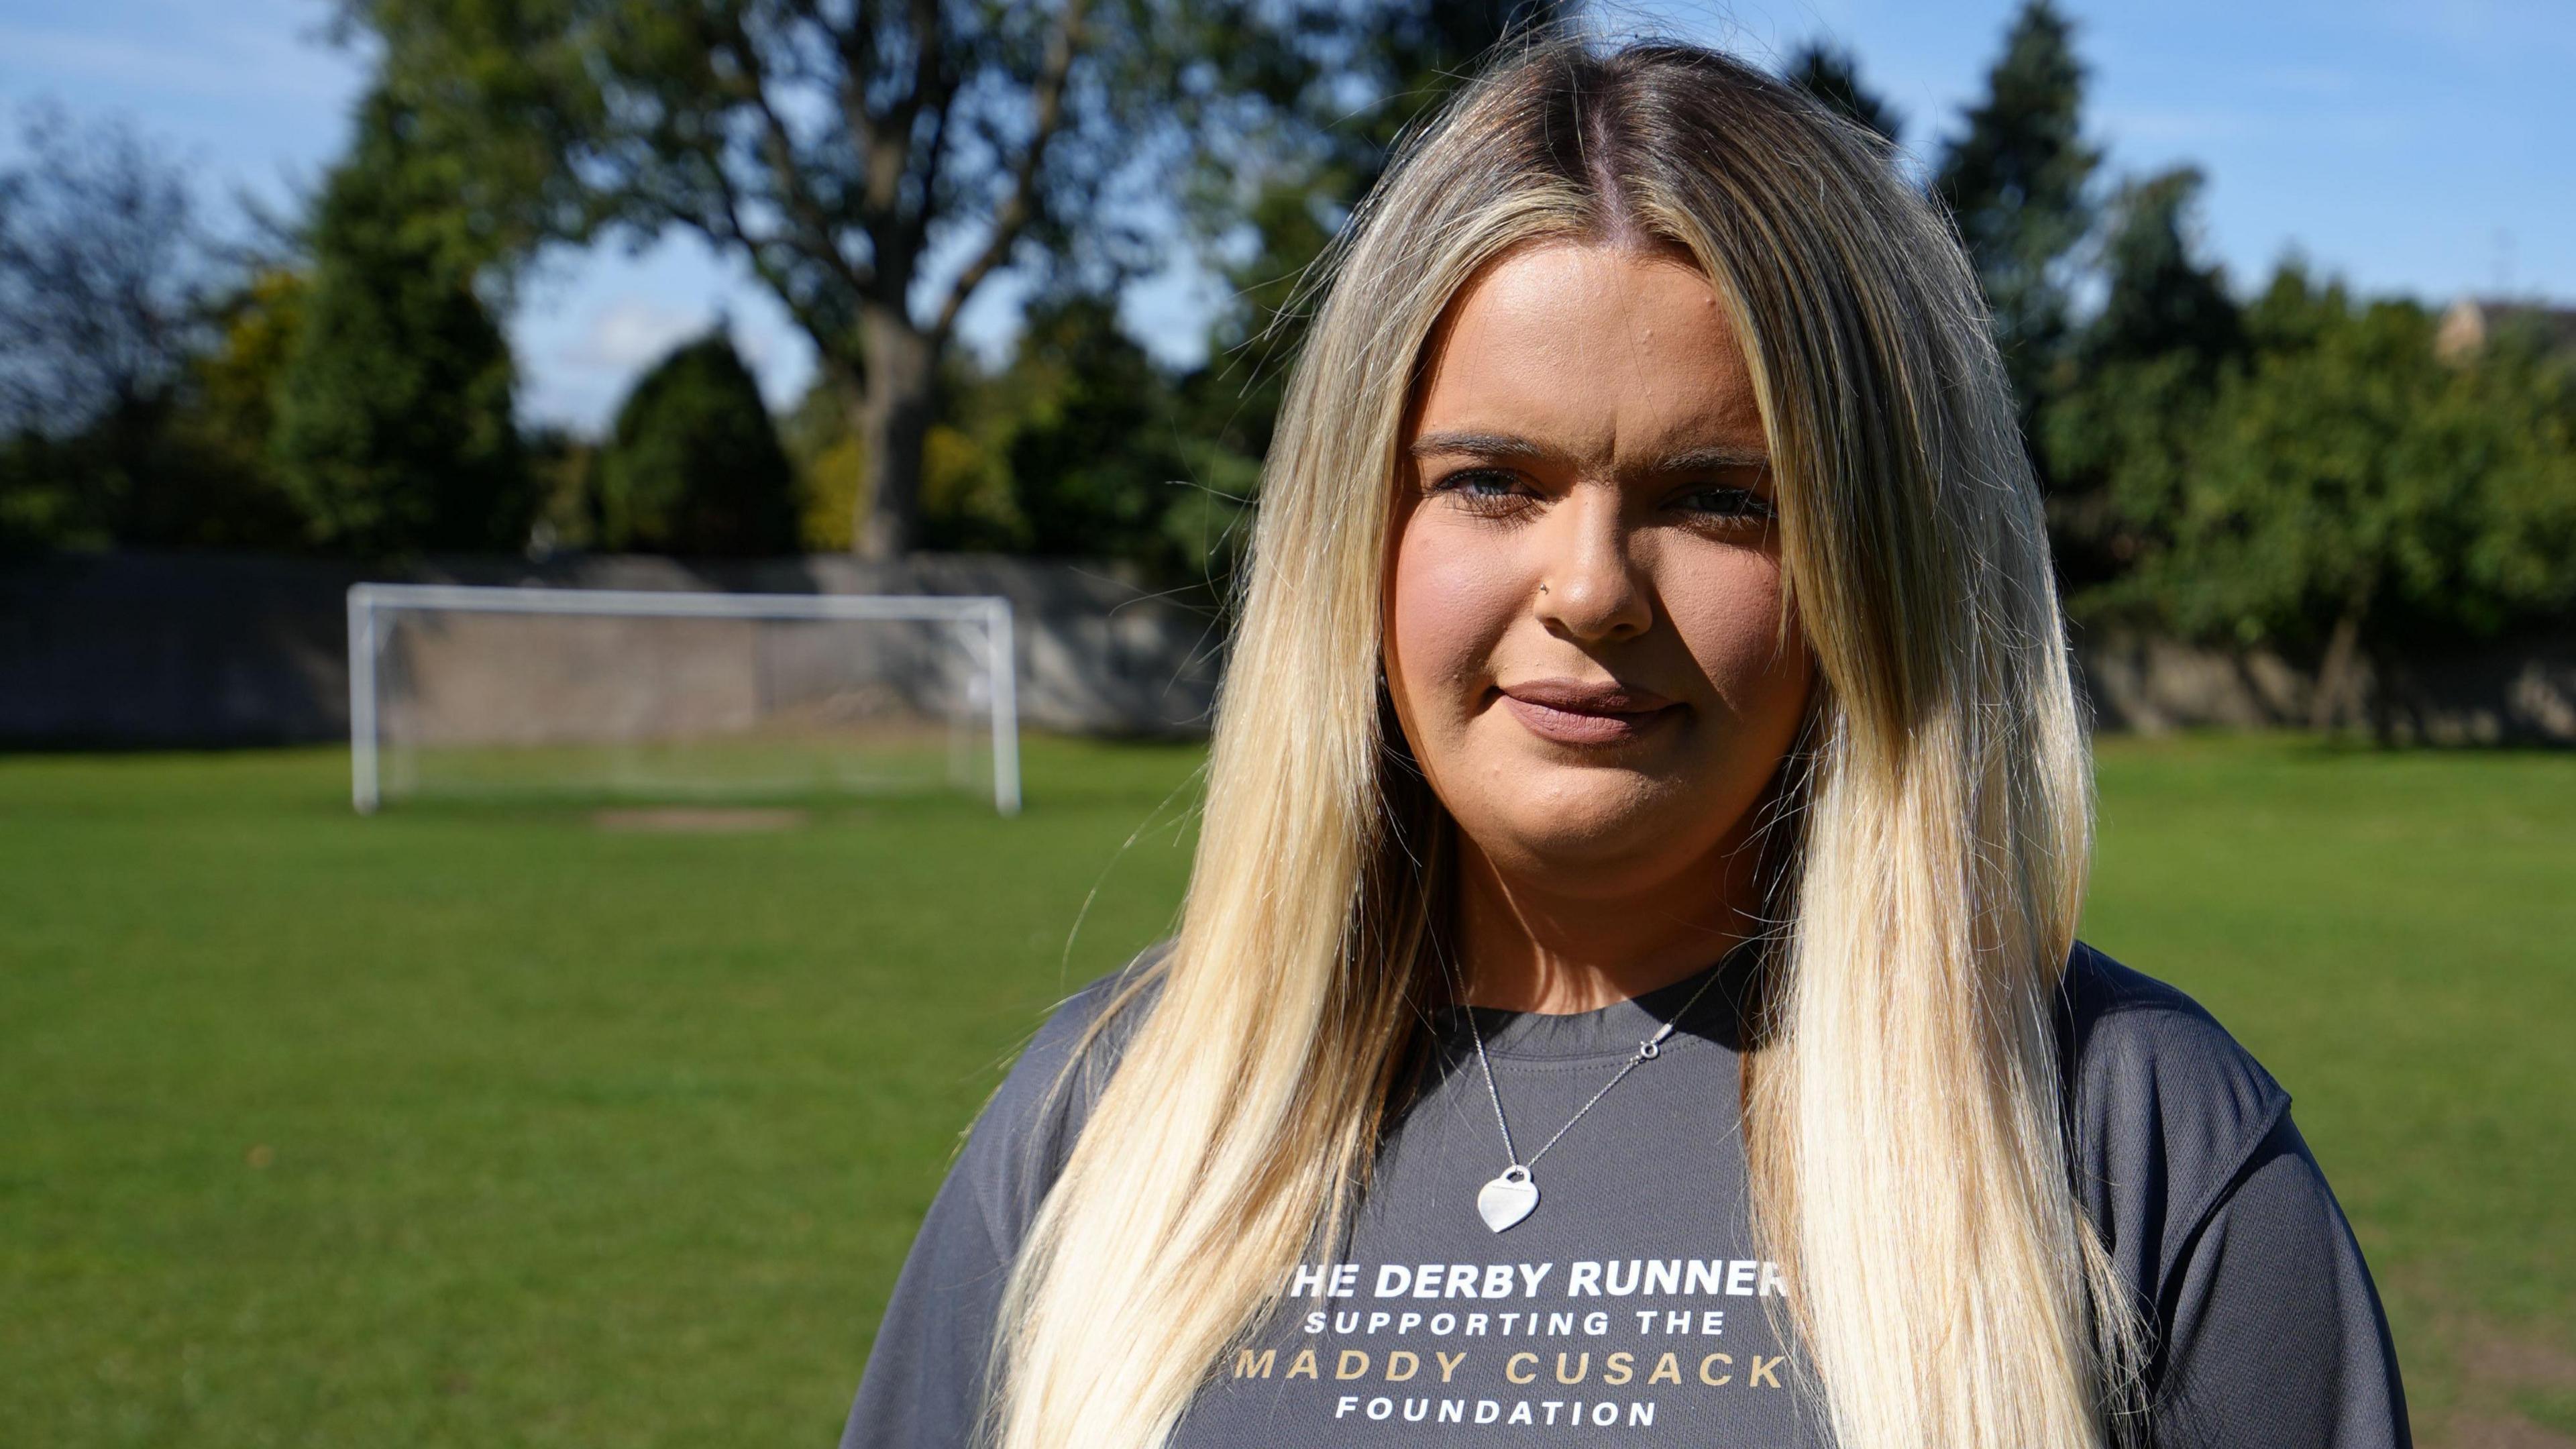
(923, 1386)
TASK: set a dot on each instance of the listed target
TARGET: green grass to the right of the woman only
(2394, 935)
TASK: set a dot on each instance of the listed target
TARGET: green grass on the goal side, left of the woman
(491, 1128)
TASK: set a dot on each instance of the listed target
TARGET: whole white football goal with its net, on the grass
(676, 697)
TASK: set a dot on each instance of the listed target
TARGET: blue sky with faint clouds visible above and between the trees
(2407, 146)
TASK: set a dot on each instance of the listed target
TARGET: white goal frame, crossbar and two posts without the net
(372, 602)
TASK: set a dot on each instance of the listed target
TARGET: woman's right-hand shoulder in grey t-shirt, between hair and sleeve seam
(2165, 1107)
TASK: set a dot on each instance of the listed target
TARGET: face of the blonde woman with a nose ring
(1583, 625)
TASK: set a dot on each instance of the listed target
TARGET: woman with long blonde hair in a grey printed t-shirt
(1627, 989)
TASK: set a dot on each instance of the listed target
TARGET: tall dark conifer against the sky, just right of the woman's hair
(2016, 179)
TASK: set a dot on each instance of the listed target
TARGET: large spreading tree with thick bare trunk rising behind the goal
(872, 164)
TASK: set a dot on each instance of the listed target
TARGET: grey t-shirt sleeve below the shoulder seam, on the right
(2276, 1329)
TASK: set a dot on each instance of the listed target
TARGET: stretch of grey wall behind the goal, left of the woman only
(213, 651)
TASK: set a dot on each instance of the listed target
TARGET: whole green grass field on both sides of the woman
(480, 1125)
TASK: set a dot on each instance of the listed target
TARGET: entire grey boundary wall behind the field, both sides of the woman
(215, 651)
